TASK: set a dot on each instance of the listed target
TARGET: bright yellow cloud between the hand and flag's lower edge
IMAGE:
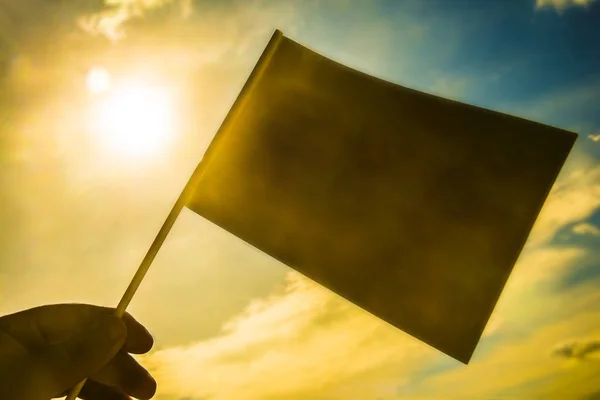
(302, 343)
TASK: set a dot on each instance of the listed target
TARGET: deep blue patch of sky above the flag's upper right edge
(516, 54)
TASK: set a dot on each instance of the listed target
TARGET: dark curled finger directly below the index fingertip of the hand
(126, 374)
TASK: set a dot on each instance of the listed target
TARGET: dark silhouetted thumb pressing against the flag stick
(67, 363)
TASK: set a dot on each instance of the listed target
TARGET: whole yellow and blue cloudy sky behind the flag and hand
(77, 215)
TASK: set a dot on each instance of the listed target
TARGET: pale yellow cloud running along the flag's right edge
(574, 197)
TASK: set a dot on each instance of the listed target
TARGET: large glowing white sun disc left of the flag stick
(133, 119)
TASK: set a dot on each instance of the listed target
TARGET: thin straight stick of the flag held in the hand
(188, 191)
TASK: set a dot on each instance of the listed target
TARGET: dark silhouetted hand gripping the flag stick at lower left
(47, 350)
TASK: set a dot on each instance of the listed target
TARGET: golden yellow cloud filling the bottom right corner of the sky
(522, 367)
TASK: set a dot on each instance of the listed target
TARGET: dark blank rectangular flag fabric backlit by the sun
(411, 206)
